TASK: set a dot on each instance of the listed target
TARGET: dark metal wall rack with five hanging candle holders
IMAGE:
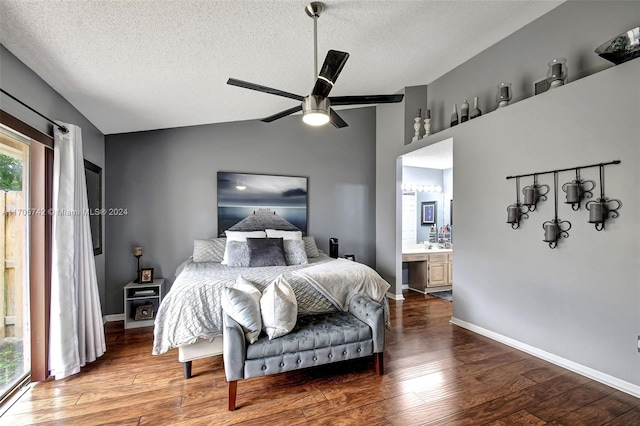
(600, 210)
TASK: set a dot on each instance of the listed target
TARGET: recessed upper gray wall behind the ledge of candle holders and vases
(572, 30)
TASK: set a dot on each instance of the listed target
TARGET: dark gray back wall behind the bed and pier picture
(167, 181)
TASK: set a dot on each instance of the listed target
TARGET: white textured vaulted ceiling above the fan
(139, 65)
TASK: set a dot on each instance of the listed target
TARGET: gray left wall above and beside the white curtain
(19, 80)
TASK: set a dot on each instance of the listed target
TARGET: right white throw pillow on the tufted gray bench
(279, 308)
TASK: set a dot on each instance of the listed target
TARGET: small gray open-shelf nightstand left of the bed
(141, 303)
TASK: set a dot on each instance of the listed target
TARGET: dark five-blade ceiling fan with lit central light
(316, 107)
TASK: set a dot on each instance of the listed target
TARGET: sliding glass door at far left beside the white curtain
(14, 254)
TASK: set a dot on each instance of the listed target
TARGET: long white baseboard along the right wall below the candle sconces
(589, 372)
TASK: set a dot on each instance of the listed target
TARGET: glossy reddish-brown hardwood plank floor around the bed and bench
(435, 374)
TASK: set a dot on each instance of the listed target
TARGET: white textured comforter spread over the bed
(192, 311)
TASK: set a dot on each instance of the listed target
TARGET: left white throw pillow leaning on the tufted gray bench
(241, 301)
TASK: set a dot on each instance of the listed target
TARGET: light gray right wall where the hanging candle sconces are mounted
(581, 300)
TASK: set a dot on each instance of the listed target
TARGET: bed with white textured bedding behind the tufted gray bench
(190, 316)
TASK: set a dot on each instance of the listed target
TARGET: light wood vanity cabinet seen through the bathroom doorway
(429, 271)
